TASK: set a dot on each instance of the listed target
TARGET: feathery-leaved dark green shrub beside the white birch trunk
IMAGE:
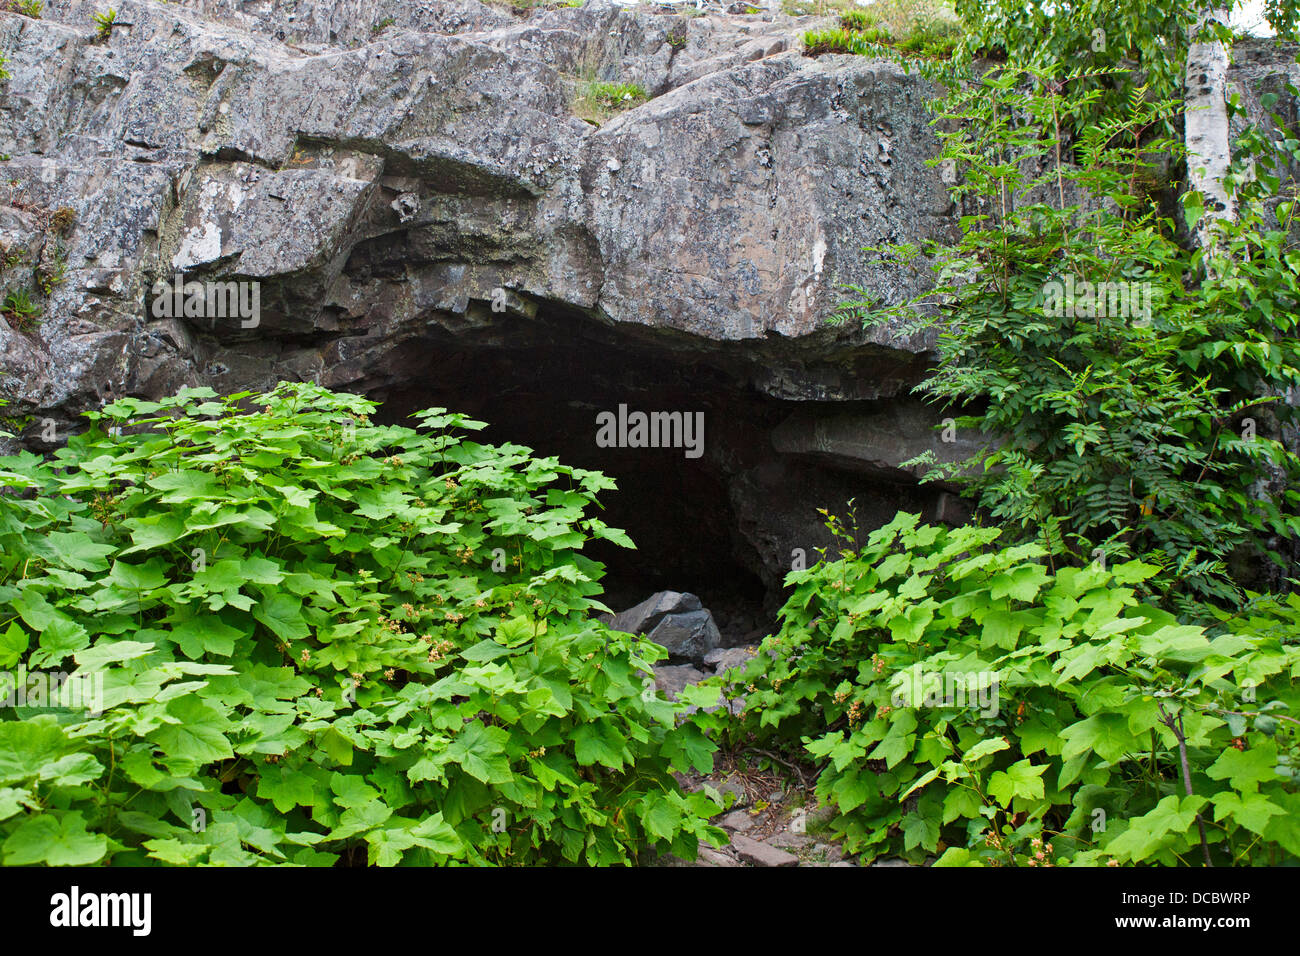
(1137, 423)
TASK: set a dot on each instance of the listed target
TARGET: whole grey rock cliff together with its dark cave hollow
(431, 223)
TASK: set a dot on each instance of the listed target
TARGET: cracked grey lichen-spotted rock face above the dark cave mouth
(387, 170)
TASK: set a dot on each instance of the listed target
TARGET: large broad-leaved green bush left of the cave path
(319, 639)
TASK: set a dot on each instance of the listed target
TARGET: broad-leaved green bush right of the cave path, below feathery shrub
(964, 700)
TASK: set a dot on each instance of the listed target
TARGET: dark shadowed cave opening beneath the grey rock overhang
(701, 524)
